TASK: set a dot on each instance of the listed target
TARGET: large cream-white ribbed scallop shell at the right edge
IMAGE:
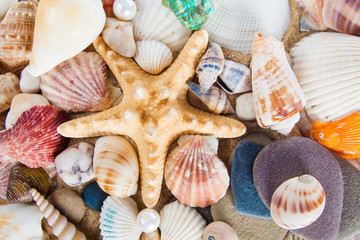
(327, 66)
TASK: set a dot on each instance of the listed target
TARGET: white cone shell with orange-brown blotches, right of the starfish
(277, 93)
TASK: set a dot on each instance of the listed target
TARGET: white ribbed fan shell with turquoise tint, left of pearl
(118, 219)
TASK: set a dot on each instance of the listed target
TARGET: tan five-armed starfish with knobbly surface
(153, 112)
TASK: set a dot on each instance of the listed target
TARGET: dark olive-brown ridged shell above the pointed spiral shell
(22, 178)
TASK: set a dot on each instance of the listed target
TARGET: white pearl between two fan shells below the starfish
(148, 219)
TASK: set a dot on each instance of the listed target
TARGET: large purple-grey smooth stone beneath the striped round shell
(295, 156)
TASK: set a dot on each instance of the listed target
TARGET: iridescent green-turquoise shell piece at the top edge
(192, 14)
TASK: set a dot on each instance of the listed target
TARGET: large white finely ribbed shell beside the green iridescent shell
(234, 24)
